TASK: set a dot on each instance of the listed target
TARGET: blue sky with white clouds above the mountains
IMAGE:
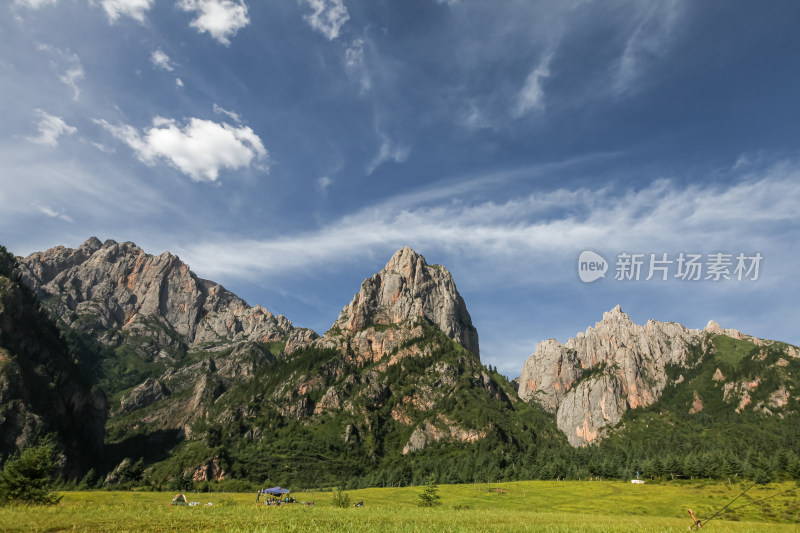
(286, 149)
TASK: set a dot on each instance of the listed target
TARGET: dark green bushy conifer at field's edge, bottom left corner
(28, 476)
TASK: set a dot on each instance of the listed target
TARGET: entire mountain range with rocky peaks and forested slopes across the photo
(170, 378)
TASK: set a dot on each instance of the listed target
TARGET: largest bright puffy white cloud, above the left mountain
(199, 149)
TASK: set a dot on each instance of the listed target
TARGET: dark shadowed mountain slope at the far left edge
(42, 390)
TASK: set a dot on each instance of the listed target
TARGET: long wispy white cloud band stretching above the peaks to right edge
(536, 231)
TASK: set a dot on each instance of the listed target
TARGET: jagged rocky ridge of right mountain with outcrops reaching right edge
(594, 378)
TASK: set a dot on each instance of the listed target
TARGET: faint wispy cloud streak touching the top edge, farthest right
(649, 40)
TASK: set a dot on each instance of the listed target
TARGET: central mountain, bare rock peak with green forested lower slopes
(385, 388)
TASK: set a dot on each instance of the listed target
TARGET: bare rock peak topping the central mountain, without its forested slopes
(391, 304)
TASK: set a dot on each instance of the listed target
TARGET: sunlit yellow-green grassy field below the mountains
(515, 506)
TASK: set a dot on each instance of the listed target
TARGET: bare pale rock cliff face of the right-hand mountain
(630, 359)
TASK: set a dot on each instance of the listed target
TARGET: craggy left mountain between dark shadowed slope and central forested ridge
(145, 314)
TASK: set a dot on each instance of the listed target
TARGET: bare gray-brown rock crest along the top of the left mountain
(118, 286)
